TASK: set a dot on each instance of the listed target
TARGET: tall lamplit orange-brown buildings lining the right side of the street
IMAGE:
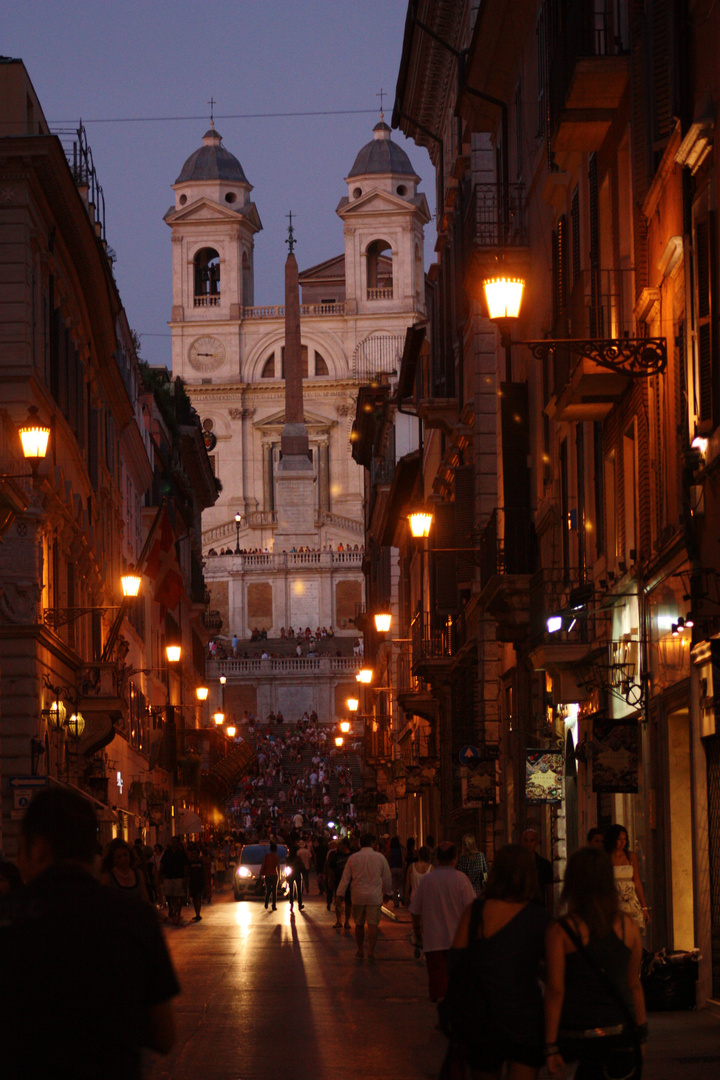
(562, 661)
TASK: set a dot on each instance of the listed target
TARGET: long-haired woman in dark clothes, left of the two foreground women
(508, 954)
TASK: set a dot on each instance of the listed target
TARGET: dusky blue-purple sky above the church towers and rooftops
(140, 76)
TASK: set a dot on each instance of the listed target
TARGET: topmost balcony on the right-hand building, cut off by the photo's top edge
(588, 74)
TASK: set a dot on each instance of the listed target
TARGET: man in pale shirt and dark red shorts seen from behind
(437, 907)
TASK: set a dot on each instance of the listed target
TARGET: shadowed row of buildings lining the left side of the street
(87, 693)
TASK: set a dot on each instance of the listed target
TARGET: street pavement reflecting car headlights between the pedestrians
(274, 993)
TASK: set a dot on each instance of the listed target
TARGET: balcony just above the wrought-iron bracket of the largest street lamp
(585, 389)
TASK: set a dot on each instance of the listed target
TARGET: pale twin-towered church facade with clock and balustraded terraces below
(355, 314)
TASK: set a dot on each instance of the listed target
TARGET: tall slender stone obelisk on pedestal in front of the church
(296, 476)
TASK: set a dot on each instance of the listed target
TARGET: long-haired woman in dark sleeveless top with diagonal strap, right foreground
(595, 1011)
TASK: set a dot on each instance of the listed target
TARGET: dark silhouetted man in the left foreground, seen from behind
(86, 979)
